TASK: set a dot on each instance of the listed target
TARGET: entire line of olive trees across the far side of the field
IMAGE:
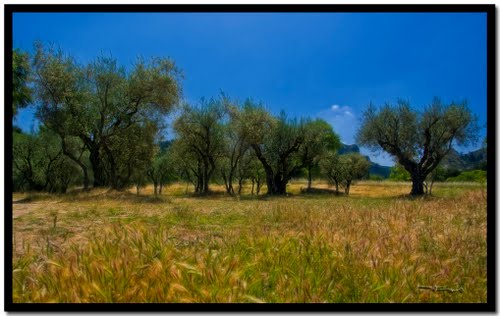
(101, 125)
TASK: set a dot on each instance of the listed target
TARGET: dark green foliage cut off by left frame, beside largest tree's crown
(21, 73)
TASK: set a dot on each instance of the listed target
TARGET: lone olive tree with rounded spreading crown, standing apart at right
(418, 140)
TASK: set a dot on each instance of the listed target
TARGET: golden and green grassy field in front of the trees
(374, 246)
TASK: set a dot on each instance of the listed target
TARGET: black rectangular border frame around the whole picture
(489, 306)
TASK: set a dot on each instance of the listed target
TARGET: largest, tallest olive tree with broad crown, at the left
(114, 112)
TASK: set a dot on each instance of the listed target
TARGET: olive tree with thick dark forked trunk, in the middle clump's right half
(284, 146)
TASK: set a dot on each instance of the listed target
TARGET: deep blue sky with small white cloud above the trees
(327, 65)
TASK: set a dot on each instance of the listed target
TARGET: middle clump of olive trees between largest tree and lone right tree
(247, 142)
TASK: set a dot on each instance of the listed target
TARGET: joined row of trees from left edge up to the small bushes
(103, 122)
